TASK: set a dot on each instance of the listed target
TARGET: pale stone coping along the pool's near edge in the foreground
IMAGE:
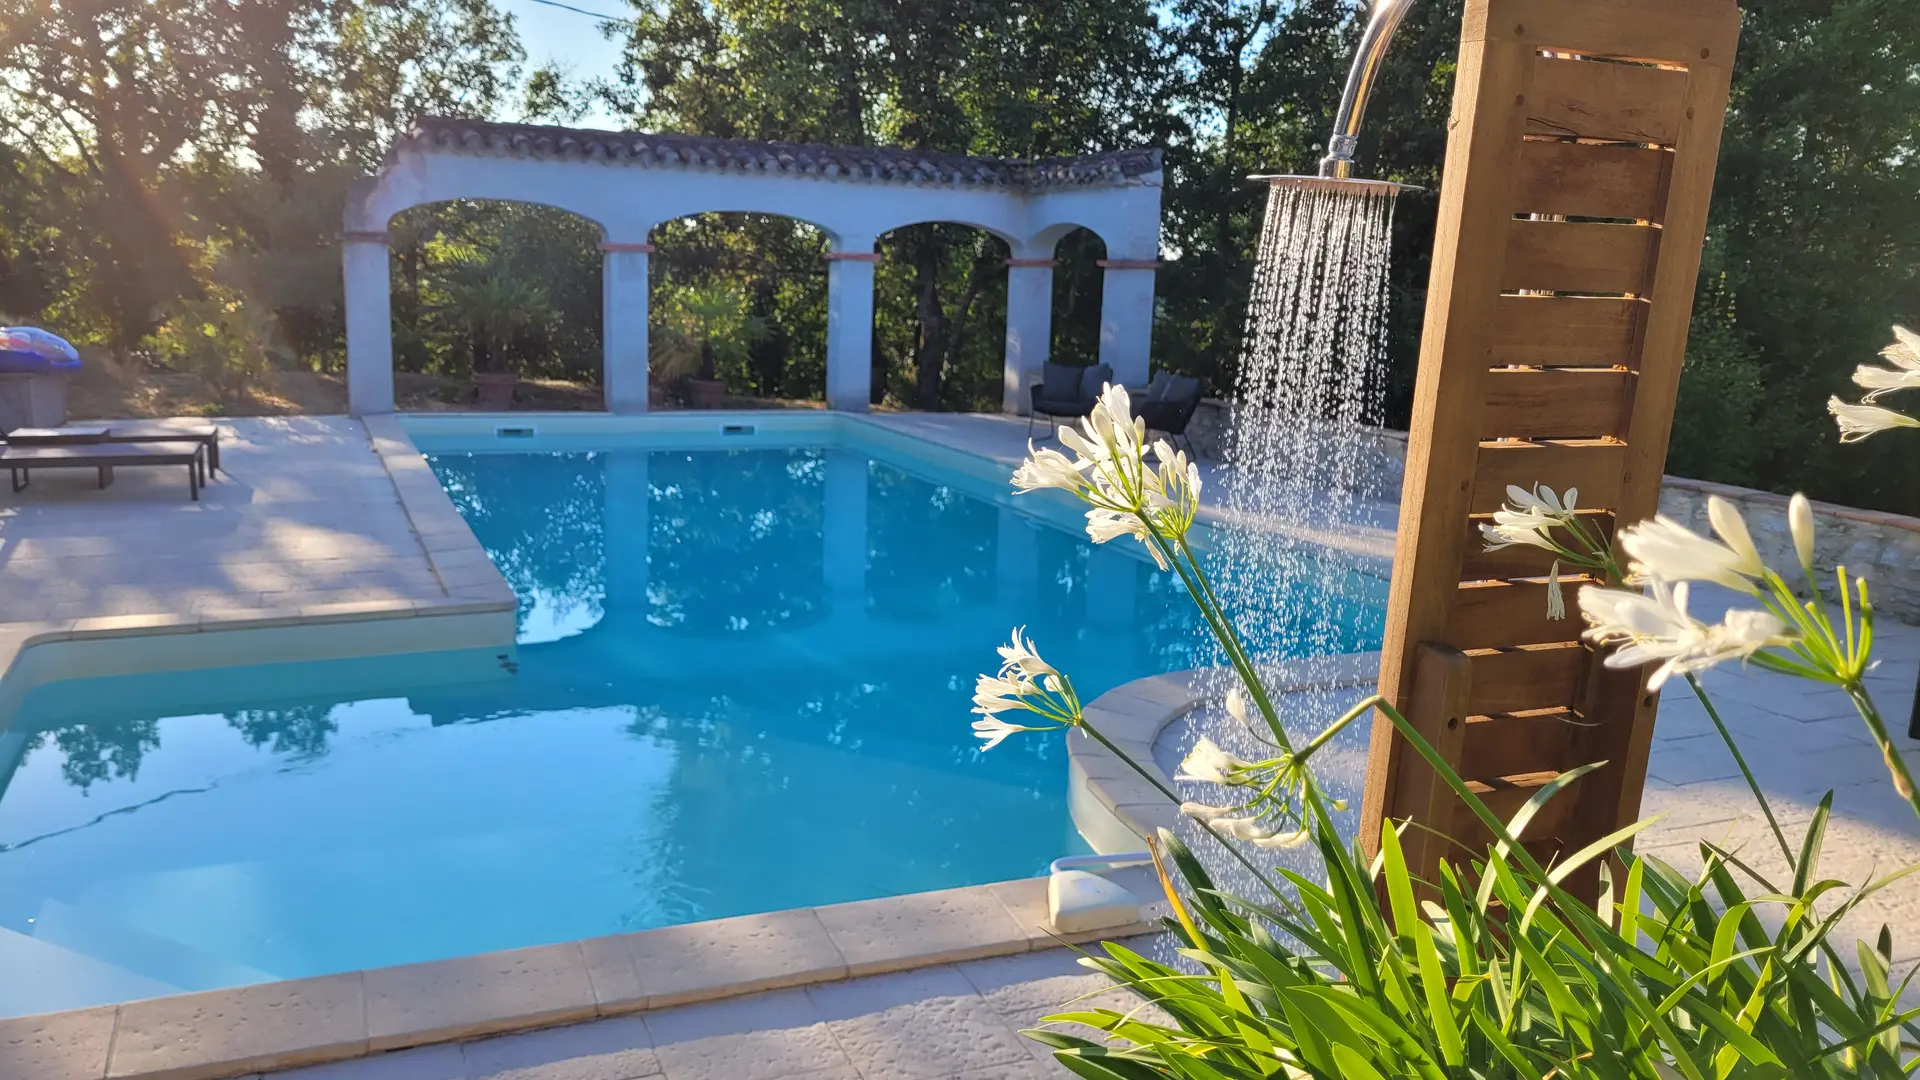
(220, 1035)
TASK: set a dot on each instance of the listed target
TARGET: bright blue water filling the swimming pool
(742, 685)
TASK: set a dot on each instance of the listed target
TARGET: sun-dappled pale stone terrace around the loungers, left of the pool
(302, 514)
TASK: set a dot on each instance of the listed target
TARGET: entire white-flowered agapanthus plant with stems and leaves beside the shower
(1493, 968)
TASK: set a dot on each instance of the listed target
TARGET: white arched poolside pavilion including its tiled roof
(633, 182)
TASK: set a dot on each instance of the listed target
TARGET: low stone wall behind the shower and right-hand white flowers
(1883, 547)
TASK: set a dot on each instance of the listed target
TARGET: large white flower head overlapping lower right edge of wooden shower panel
(1666, 556)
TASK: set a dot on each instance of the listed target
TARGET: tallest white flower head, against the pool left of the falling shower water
(1111, 474)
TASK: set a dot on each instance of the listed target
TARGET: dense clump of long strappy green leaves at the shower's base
(1500, 973)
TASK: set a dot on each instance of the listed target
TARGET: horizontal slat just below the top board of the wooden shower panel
(1618, 103)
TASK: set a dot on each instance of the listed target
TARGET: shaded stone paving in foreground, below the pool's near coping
(940, 1023)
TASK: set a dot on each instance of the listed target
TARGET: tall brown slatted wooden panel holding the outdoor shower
(1572, 220)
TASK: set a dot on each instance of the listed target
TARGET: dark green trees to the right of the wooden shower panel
(1815, 243)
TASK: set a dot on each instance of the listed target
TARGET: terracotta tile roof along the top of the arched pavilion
(886, 164)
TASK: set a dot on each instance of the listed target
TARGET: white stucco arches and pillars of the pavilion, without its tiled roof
(629, 199)
